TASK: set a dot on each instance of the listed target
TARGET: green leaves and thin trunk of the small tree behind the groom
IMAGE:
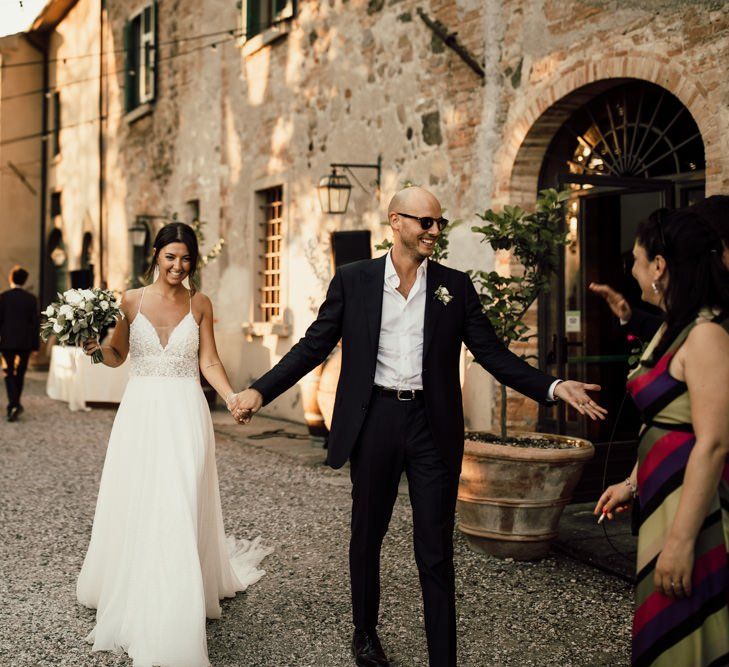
(534, 240)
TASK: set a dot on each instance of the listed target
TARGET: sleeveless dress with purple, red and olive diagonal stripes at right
(693, 632)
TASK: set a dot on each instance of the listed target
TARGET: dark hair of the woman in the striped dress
(697, 277)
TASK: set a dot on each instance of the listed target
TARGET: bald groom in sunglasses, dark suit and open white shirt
(402, 320)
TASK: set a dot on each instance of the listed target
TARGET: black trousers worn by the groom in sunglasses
(396, 437)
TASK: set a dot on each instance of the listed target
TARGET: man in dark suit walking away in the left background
(19, 335)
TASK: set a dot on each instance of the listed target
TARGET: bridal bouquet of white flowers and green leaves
(80, 314)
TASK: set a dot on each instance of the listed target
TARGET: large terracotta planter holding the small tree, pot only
(510, 499)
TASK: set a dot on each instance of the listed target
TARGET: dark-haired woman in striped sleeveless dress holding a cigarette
(681, 479)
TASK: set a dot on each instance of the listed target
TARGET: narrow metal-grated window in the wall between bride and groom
(270, 258)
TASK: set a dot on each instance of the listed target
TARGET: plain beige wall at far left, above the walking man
(20, 115)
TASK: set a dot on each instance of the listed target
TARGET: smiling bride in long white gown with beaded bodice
(159, 562)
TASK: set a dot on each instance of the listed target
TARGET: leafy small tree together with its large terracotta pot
(514, 487)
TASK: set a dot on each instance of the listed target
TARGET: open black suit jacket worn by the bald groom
(352, 311)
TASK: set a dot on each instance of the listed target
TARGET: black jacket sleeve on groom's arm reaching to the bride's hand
(318, 341)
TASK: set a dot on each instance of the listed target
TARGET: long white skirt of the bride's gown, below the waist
(159, 561)
